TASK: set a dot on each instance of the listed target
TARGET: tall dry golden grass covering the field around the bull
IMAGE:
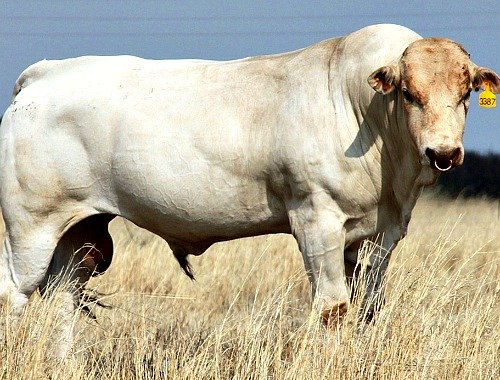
(248, 315)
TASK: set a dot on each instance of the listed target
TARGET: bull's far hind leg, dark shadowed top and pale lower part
(85, 250)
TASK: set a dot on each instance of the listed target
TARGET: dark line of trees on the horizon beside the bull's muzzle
(478, 176)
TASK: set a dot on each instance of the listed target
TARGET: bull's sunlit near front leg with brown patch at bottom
(318, 226)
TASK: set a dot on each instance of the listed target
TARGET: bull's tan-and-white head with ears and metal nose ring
(434, 78)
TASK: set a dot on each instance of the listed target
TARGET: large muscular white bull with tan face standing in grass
(200, 152)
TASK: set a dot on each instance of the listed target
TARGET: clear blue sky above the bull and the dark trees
(33, 30)
